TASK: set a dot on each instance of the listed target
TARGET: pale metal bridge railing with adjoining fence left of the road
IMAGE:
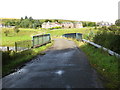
(38, 40)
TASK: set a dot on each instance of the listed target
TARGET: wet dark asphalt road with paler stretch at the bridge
(63, 66)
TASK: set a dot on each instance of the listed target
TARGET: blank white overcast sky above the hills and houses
(82, 10)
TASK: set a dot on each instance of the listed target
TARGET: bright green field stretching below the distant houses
(26, 34)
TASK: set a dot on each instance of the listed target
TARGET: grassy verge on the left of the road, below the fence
(12, 60)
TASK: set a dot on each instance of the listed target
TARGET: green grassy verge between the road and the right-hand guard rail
(106, 65)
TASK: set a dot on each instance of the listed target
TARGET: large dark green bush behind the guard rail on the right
(109, 40)
